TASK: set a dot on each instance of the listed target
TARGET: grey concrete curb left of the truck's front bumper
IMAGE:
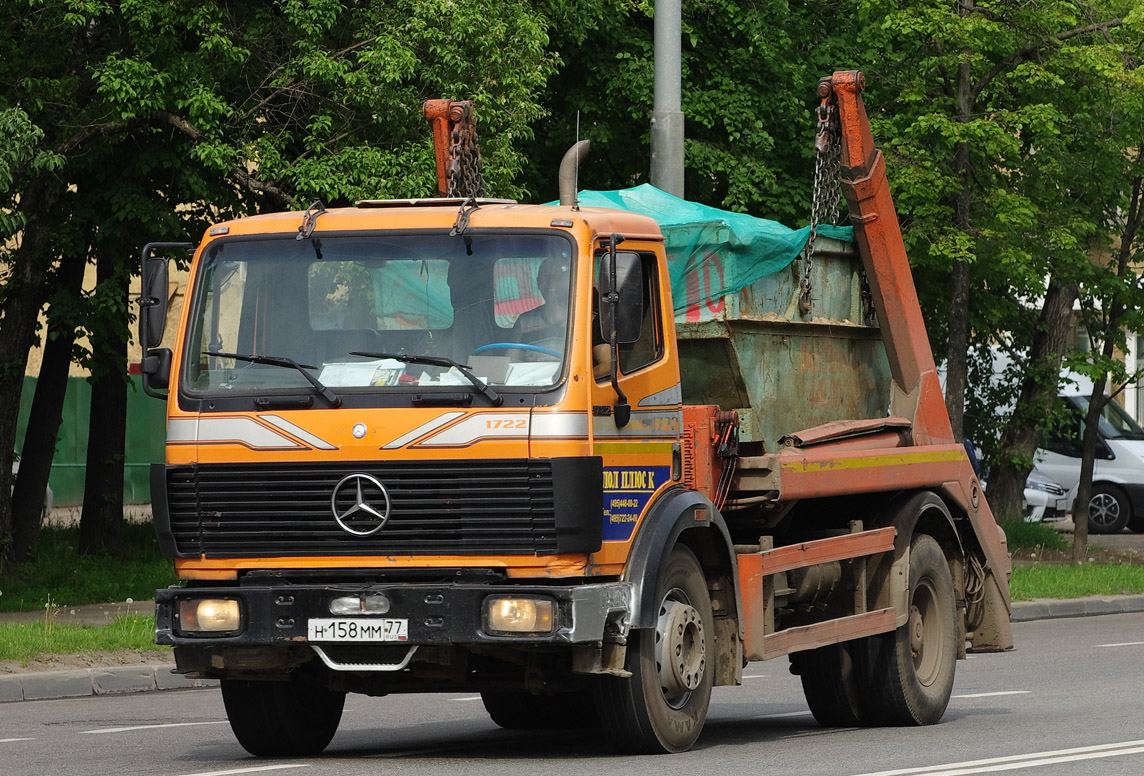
(78, 684)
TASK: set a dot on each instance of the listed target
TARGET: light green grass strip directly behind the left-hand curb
(44, 637)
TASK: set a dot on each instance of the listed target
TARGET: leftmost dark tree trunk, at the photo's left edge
(25, 291)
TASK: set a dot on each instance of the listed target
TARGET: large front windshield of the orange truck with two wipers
(496, 304)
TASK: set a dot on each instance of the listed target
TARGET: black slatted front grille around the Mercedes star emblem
(441, 509)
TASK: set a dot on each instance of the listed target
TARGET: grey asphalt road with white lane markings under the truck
(1068, 701)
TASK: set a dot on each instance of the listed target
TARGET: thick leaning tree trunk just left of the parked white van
(1021, 438)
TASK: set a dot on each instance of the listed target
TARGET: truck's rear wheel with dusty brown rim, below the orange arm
(912, 668)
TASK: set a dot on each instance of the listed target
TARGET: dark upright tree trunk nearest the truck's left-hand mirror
(101, 528)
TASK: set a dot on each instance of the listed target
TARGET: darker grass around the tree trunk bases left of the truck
(59, 575)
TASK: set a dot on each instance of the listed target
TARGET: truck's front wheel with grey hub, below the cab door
(663, 706)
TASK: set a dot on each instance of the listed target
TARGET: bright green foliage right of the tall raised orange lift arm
(1005, 130)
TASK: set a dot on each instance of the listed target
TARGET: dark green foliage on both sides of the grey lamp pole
(750, 78)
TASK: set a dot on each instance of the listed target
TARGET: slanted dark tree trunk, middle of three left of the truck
(46, 413)
